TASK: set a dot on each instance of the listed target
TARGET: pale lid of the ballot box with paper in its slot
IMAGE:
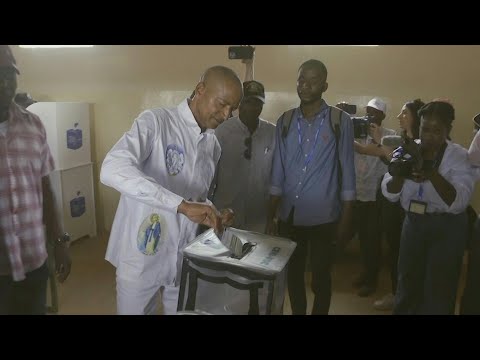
(249, 250)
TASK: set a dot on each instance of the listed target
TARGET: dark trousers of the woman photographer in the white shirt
(429, 263)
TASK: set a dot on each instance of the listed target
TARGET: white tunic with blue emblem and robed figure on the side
(162, 160)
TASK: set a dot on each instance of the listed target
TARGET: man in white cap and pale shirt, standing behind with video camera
(368, 171)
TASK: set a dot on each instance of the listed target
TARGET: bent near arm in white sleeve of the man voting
(122, 166)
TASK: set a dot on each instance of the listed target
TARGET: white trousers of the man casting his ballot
(138, 298)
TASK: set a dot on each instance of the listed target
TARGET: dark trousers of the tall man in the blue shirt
(320, 239)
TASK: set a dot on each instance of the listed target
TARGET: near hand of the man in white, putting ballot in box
(202, 213)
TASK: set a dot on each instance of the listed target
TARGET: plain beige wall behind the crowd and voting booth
(122, 80)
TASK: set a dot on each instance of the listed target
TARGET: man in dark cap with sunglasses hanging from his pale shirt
(243, 173)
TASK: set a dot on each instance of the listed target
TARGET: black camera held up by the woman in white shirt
(404, 161)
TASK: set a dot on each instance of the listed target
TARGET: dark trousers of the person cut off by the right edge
(471, 295)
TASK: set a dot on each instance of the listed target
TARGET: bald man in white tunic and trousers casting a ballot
(163, 168)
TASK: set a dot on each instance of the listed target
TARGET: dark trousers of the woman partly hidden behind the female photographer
(392, 215)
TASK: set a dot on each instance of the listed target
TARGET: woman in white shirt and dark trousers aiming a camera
(434, 197)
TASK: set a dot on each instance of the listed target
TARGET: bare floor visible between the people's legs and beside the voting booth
(90, 289)
